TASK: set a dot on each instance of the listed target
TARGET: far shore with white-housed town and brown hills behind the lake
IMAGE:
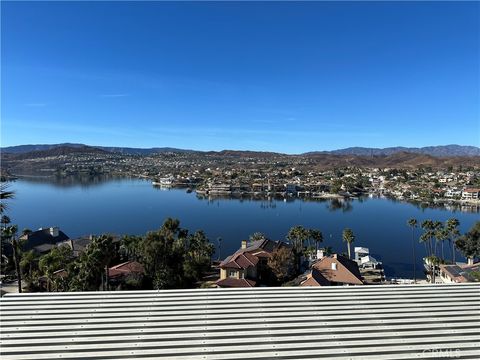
(416, 176)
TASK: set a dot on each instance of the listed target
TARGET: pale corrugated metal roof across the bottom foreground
(363, 322)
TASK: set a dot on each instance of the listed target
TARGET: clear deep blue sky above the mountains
(288, 76)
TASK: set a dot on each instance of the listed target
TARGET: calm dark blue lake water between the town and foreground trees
(132, 206)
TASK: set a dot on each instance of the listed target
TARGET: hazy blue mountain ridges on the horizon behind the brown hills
(437, 151)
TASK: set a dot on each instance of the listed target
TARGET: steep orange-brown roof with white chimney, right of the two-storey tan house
(347, 271)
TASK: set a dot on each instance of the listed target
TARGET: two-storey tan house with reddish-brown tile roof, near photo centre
(244, 267)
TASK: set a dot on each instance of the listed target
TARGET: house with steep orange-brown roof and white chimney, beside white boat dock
(334, 270)
